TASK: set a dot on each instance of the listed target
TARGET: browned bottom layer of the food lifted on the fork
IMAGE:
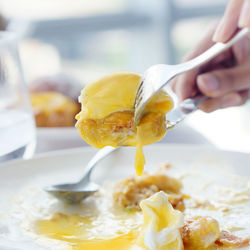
(111, 129)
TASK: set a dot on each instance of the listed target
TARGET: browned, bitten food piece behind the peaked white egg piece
(129, 192)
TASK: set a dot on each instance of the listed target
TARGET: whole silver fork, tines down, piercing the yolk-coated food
(158, 76)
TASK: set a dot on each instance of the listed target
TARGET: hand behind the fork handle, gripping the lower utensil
(225, 79)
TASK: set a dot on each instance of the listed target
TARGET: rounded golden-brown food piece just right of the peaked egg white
(200, 233)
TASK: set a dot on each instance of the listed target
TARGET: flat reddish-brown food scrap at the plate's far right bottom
(229, 240)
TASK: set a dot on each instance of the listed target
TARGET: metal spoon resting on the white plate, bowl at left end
(76, 192)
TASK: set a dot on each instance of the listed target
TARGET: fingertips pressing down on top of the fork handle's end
(236, 15)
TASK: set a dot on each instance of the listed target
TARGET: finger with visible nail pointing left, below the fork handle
(217, 83)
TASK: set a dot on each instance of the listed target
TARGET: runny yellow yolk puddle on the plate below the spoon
(75, 230)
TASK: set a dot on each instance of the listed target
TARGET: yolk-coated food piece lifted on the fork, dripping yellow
(107, 115)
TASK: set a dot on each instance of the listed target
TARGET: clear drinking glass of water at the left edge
(17, 127)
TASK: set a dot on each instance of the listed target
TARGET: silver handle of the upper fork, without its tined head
(213, 51)
